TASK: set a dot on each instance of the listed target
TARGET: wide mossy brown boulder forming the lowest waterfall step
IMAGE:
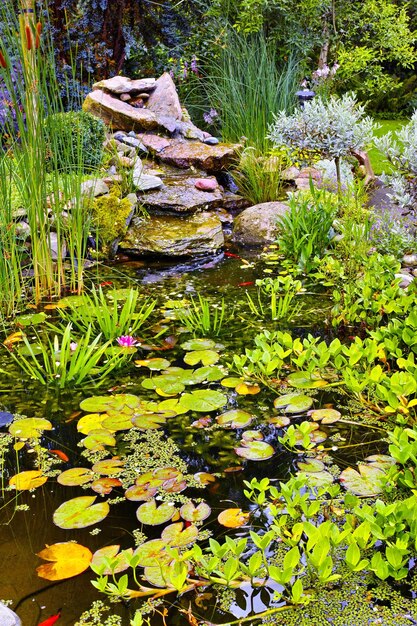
(174, 236)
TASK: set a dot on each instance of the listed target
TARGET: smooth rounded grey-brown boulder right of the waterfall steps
(257, 225)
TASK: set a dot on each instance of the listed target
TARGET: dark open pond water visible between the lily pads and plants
(204, 449)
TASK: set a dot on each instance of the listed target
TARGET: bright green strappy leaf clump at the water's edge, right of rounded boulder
(305, 229)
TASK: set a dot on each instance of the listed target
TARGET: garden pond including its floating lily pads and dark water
(180, 450)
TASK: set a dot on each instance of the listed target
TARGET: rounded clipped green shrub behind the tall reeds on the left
(73, 139)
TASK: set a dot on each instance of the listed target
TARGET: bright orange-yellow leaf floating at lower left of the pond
(68, 559)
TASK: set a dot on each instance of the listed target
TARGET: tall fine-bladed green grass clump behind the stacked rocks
(247, 87)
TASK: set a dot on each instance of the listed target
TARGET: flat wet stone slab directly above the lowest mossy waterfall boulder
(181, 196)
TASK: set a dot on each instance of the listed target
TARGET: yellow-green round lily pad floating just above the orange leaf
(80, 512)
